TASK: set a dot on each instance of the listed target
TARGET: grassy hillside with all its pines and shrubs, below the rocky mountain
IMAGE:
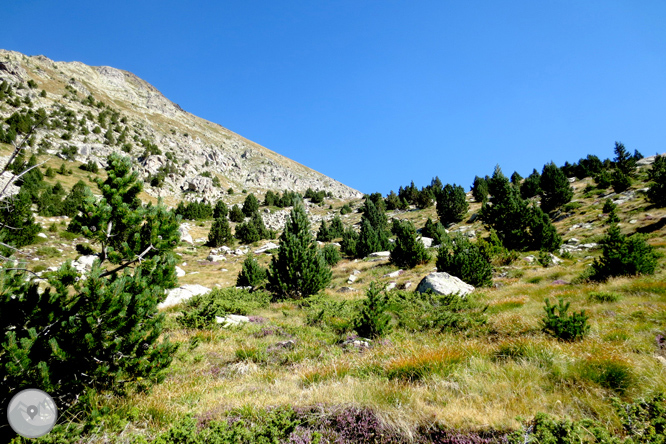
(561, 340)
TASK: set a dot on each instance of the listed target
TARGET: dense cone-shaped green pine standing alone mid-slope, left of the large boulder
(298, 269)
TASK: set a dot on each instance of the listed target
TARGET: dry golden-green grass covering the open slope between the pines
(490, 379)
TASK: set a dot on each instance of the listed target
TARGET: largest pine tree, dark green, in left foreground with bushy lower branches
(101, 332)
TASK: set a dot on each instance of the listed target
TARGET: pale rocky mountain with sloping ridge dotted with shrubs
(92, 111)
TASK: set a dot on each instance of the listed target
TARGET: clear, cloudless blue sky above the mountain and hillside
(378, 93)
